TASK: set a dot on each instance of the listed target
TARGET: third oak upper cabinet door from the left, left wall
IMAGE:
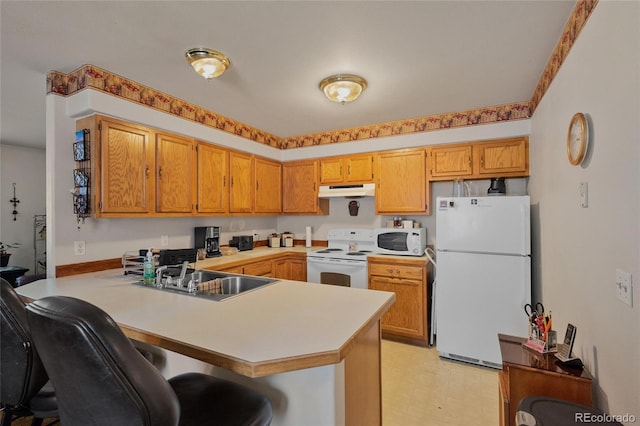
(213, 169)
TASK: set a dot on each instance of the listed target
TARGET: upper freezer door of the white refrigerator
(484, 224)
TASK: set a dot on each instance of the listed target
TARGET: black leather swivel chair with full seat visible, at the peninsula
(101, 379)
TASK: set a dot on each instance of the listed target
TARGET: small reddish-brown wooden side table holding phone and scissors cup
(526, 372)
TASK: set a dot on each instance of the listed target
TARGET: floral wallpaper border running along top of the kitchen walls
(90, 76)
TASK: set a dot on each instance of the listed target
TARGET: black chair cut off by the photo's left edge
(24, 387)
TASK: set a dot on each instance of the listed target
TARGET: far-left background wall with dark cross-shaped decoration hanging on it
(26, 167)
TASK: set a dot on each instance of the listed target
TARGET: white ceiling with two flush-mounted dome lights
(419, 57)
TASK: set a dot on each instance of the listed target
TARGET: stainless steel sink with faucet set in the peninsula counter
(211, 285)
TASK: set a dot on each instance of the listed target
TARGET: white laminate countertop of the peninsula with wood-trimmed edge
(280, 327)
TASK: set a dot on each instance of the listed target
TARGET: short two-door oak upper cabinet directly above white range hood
(348, 169)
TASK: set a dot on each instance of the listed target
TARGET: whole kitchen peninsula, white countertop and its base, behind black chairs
(314, 350)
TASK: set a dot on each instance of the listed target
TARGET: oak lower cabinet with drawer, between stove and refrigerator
(407, 278)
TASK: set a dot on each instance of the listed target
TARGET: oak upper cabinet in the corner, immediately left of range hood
(300, 181)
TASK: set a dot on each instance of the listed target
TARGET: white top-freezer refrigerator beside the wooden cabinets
(483, 275)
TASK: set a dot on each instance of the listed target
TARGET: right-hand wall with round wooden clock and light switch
(577, 250)
